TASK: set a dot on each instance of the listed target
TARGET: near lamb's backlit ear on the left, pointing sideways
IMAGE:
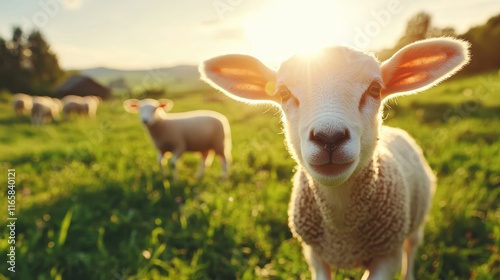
(241, 77)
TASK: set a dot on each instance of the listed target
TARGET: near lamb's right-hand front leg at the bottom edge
(385, 267)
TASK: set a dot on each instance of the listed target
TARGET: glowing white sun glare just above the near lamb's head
(289, 27)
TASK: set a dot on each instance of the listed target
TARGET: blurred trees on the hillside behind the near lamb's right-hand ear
(485, 40)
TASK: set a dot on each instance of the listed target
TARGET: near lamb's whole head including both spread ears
(331, 102)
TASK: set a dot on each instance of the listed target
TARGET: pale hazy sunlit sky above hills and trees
(131, 34)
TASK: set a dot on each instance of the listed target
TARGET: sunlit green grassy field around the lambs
(91, 203)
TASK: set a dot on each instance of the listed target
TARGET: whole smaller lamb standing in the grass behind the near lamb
(194, 131)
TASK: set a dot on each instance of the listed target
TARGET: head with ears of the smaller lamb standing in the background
(150, 109)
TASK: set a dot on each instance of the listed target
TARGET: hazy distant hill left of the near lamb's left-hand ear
(177, 78)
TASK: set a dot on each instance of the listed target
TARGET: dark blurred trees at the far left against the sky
(27, 64)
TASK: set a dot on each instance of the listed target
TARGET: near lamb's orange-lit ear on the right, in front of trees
(422, 65)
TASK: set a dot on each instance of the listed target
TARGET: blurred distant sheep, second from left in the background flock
(45, 109)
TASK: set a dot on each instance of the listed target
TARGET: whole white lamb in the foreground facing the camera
(362, 191)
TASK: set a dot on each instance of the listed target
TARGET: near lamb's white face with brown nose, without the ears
(331, 104)
